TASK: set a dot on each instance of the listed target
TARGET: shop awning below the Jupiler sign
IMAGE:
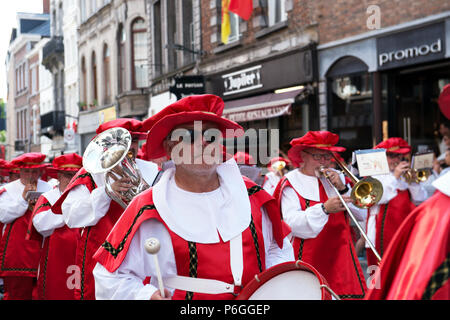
(260, 107)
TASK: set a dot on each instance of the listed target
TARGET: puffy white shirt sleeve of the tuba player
(83, 209)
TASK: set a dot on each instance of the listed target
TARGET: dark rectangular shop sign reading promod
(411, 47)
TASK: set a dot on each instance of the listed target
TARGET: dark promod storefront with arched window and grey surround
(386, 83)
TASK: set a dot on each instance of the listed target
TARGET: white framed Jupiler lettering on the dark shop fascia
(243, 80)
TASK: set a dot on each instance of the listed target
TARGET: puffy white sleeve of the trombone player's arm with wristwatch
(305, 224)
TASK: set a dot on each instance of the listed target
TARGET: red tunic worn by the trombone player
(332, 251)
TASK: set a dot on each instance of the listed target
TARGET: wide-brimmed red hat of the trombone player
(323, 140)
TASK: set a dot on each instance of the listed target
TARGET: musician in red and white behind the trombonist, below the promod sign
(398, 200)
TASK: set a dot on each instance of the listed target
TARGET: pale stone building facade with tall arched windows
(112, 42)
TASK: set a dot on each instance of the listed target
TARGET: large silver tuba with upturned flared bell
(110, 153)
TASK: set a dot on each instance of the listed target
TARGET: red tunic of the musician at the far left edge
(19, 257)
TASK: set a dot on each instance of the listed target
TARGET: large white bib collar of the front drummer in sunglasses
(196, 221)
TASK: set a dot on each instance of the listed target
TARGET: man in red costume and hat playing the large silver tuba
(86, 205)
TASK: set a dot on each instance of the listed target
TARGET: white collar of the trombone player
(308, 186)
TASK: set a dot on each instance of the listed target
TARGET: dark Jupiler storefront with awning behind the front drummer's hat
(275, 93)
